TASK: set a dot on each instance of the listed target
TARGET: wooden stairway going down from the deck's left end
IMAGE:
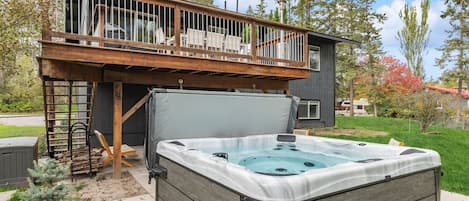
(68, 115)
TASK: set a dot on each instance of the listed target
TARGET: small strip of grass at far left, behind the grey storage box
(21, 131)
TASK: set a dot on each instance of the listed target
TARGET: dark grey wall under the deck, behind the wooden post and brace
(133, 129)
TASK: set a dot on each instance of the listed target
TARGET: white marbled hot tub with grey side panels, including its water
(290, 168)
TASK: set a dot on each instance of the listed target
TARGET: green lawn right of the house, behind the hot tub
(451, 144)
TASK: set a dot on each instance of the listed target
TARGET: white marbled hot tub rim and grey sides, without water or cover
(402, 173)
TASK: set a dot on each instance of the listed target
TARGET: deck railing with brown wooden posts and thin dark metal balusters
(177, 27)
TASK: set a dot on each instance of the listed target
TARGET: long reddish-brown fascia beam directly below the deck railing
(110, 56)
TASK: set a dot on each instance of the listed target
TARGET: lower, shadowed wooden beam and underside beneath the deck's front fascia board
(52, 69)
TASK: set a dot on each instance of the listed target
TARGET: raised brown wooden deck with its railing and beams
(160, 42)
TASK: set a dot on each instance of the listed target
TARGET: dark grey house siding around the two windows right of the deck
(320, 86)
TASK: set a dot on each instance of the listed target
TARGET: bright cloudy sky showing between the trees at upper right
(393, 24)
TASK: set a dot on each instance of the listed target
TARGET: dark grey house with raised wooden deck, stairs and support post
(100, 57)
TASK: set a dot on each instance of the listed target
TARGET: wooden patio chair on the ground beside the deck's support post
(125, 150)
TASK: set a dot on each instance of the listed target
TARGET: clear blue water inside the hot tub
(281, 160)
